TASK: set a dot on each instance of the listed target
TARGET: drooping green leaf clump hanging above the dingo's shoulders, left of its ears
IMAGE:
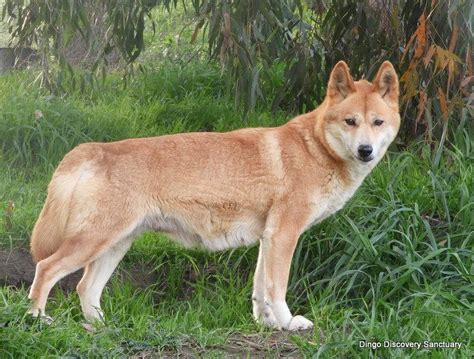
(247, 37)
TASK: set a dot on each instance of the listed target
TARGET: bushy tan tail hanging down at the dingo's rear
(49, 231)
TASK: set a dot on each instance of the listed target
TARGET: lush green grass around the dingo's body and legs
(395, 264)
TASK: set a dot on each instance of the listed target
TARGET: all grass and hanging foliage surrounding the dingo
(395, 264)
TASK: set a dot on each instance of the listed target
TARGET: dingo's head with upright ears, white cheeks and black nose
(361, 119)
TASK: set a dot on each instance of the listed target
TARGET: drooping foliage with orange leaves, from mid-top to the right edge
(429, 42)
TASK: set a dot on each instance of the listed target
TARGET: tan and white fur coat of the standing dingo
(214, 190)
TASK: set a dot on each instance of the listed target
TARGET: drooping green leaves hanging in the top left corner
(51, 25)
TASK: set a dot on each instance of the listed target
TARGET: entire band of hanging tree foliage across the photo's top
(429, 42)
